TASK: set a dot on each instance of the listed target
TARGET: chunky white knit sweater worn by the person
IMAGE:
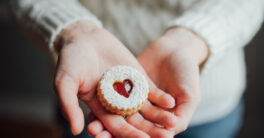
(226, 25)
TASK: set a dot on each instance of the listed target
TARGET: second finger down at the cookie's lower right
(158, 115)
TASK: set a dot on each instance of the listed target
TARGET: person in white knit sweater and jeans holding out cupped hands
(191, 52)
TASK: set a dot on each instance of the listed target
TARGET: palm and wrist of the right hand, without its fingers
(175, 59)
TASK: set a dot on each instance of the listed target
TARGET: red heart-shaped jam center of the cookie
(123, 88)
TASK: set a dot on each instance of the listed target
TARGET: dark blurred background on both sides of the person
(27, 100)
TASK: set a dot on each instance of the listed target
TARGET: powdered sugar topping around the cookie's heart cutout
(138, 94)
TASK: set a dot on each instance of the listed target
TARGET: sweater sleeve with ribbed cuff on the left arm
(47, 18)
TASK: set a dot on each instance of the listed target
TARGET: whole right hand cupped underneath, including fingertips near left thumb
(175, 58)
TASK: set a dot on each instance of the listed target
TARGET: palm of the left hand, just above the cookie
(85, 65)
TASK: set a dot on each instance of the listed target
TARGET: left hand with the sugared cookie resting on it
(85, 52)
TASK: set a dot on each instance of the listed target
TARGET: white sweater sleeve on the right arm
(223, 24)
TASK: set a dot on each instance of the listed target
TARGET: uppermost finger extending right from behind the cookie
(159, 97)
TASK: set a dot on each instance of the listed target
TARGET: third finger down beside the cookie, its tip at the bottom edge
(139, 122)
